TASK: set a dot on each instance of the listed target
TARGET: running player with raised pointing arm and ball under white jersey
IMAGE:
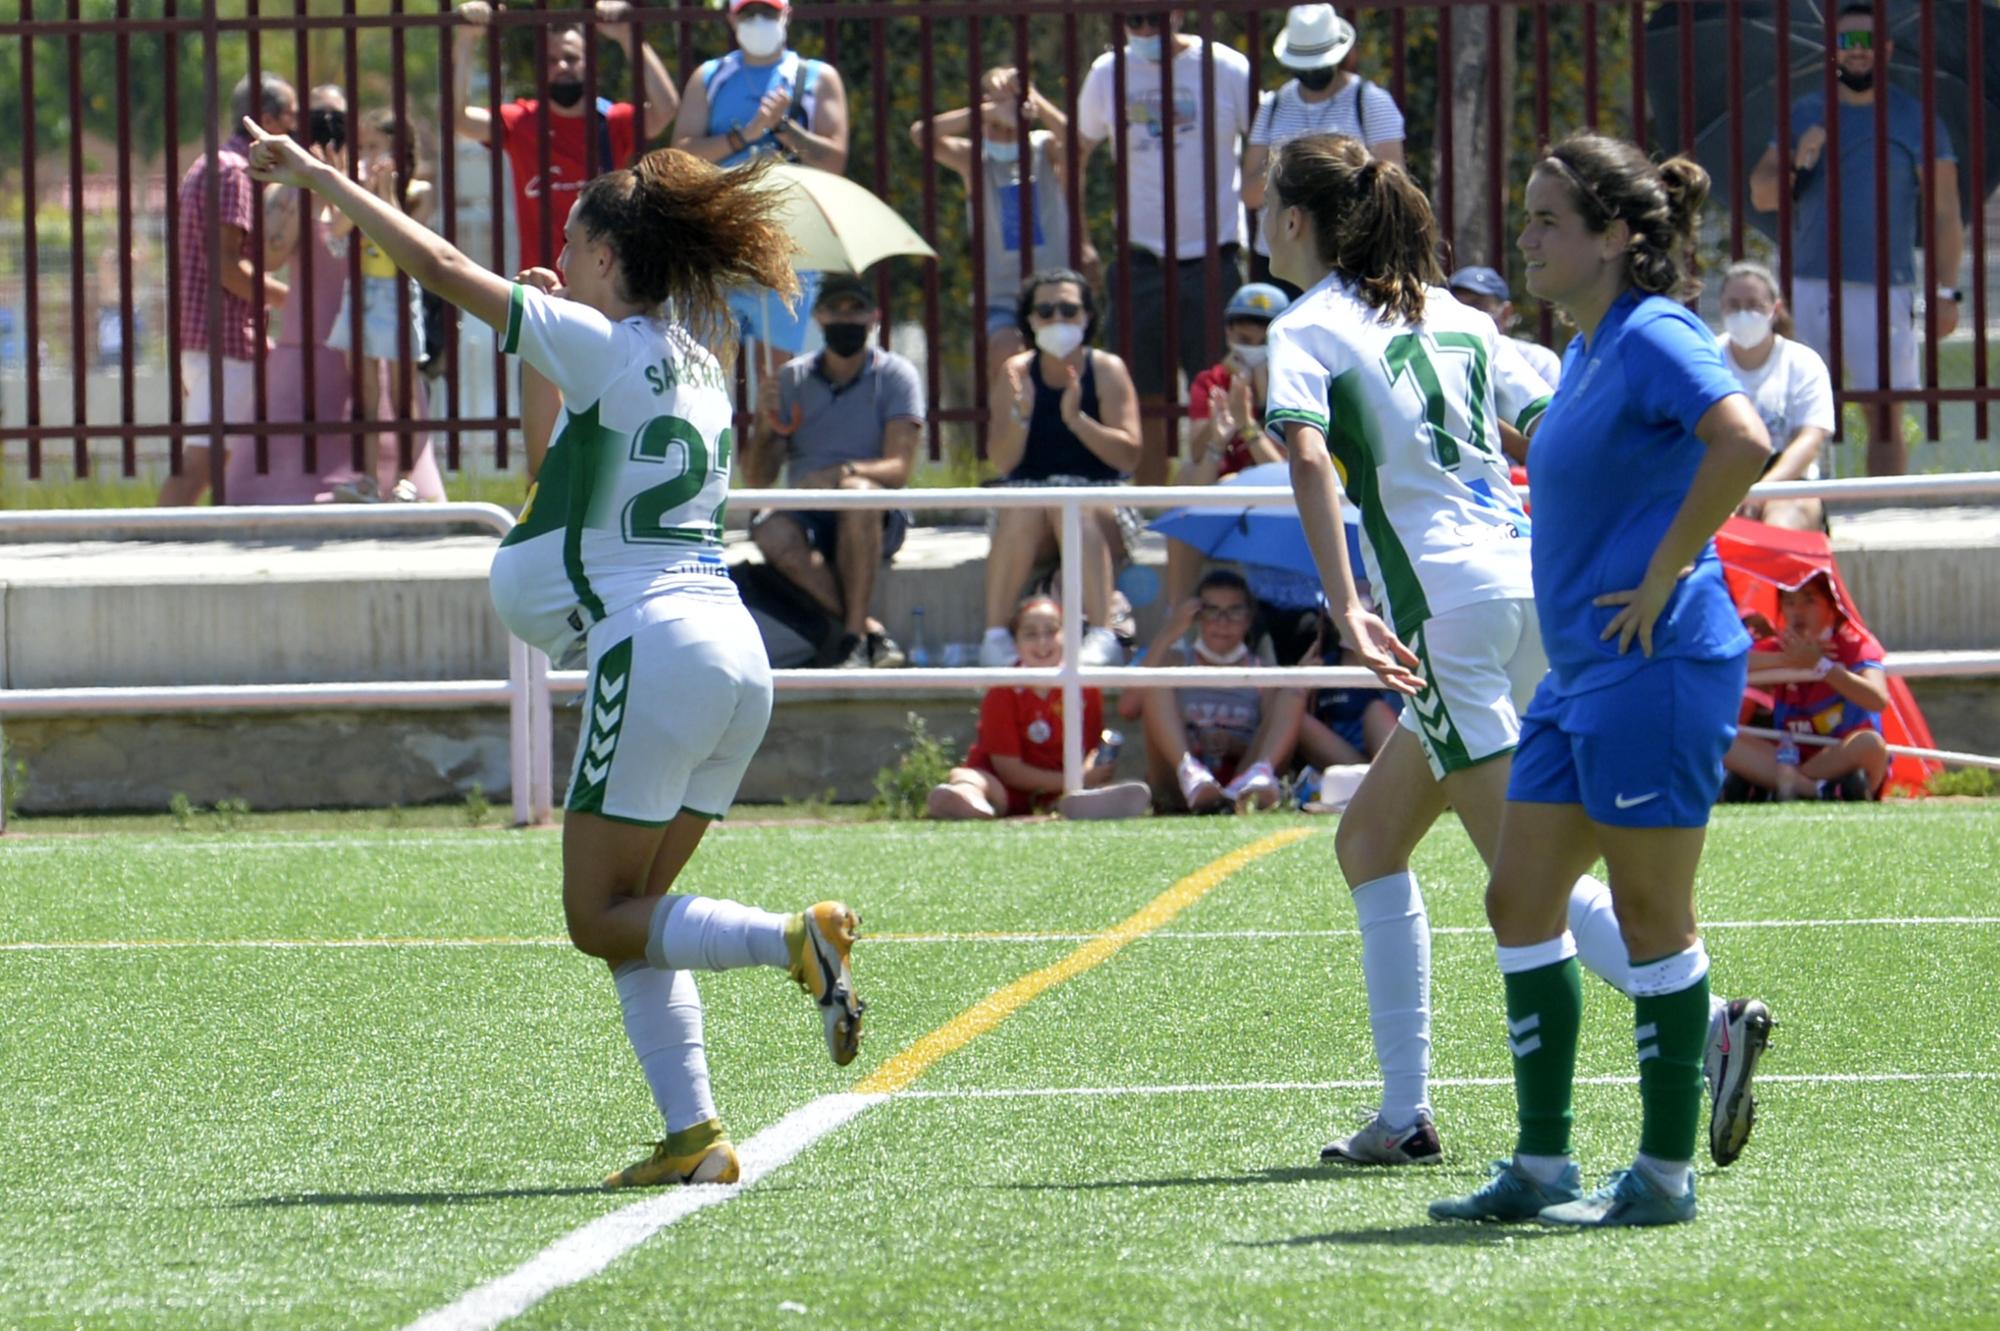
(619, 549)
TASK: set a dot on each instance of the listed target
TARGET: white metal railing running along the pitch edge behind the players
(531, 682)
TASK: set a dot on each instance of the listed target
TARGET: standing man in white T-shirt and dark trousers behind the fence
(1193, 135)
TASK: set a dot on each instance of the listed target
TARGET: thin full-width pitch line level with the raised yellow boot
(891, 940)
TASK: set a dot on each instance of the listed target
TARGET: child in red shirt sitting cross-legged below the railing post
(1015, 766)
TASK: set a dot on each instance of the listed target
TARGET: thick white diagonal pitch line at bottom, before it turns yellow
(591, 1248)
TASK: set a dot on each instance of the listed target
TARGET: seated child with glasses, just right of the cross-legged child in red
(1217, 748)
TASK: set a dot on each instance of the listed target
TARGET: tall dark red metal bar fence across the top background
(1481, 87)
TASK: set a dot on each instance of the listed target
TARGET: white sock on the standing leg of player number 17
(1397, 970)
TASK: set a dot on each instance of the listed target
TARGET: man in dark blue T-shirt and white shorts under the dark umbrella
(1863, 77)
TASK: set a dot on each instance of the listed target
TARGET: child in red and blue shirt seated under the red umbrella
(1845, 702)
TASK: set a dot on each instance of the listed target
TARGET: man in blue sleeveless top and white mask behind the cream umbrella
(767, 99)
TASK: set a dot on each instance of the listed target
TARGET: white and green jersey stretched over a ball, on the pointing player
(629, 501)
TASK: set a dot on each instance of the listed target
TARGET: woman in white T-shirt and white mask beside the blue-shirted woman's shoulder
(1789, 385)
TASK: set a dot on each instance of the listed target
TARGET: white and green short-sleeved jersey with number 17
(1411, 417)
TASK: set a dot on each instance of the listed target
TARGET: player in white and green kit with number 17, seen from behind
(1383, 381)
